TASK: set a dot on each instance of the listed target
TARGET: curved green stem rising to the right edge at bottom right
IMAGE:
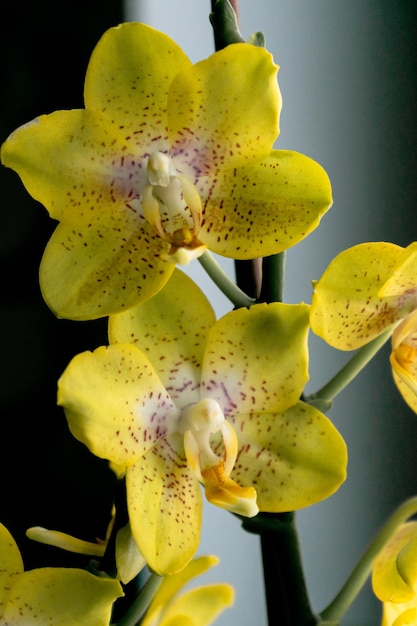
(338, 607)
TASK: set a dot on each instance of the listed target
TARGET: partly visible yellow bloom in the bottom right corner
(394, 577)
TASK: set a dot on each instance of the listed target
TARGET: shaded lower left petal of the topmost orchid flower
(78, 274)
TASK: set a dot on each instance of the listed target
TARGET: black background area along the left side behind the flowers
(46, 477)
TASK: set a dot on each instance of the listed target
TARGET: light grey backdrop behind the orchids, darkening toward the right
(348, 82)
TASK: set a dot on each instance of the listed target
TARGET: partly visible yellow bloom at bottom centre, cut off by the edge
(196, 607)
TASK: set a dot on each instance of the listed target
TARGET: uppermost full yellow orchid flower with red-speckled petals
(167, 159)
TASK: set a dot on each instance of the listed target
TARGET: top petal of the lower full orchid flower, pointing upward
(171, 329)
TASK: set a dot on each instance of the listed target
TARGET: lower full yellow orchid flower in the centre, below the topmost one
(179, 399)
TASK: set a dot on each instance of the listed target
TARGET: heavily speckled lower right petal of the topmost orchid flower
(264, 208)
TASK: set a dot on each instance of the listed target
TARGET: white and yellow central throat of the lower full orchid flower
(213, 468)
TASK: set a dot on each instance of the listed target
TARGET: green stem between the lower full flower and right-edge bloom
(350, 370)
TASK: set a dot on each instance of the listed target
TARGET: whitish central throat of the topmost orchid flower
(172, 205)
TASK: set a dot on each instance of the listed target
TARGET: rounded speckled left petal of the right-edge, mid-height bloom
(346, 310)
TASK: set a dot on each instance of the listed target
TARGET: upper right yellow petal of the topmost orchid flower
(224, 111)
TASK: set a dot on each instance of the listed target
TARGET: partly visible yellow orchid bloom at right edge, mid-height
(364, 291)
